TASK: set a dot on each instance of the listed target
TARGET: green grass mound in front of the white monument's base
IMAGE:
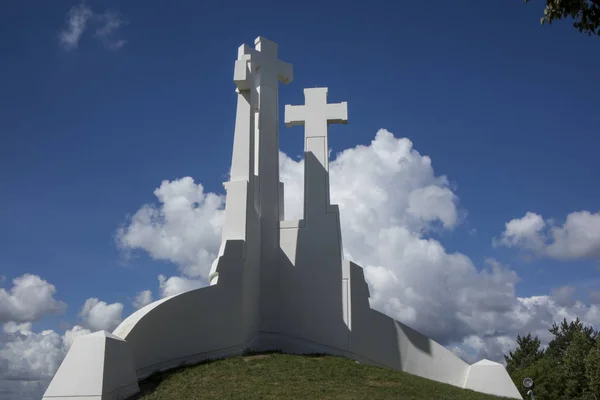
(282, 376)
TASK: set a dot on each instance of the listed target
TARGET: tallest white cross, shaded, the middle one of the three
(266, 71)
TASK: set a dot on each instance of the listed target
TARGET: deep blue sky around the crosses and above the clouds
(506, 109)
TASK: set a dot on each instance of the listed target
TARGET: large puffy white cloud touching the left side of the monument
(184, 229)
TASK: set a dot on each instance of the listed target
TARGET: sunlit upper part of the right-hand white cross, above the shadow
(315, 115)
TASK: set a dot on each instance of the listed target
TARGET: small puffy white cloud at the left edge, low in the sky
(28, 300)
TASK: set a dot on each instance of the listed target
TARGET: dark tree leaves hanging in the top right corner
(586, 14)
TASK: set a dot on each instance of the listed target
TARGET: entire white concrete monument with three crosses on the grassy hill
(276, 284)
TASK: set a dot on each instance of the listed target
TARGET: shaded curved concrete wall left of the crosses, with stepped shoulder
(192, 326)
